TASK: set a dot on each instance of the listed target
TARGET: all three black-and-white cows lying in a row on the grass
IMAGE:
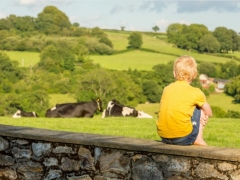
(86, 110)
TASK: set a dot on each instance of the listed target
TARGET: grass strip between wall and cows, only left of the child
(131, 127)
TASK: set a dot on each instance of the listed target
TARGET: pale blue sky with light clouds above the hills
(134, 15)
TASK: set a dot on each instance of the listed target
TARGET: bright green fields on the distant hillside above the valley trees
(140, 60)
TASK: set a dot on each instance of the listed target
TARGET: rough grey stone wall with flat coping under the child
(38, 154)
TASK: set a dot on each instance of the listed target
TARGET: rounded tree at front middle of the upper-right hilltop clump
(209, 43)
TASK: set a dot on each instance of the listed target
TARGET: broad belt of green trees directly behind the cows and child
(29, 88)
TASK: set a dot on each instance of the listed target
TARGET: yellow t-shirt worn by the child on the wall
(178, 101)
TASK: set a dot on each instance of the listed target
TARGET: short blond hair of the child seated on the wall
(185, 68)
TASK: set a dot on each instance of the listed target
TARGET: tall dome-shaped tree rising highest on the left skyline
(51, 20)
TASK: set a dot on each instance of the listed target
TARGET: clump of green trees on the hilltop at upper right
(198, 37)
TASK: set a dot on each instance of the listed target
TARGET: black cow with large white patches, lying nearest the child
(114, 108)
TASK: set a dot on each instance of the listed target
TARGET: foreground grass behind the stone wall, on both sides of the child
(218, 132)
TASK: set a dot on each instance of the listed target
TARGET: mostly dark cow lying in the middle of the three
(72, 110)
